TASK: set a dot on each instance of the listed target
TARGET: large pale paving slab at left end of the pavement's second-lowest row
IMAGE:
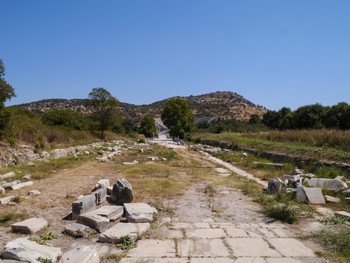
(151, 248)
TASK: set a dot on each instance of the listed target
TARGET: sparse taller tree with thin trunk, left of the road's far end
(105, 107)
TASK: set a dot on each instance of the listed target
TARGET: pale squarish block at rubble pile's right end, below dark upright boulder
(140, 212)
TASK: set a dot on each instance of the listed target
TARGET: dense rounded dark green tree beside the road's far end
(178, 117)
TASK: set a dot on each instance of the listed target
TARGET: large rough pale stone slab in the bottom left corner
(25, 250)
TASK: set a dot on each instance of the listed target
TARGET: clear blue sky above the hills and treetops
(274, 53)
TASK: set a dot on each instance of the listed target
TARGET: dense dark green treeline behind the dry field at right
(313, 116)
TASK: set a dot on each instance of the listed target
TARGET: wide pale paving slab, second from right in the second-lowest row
(251, 247)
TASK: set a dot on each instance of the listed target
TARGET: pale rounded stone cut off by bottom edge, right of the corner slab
(82, 254)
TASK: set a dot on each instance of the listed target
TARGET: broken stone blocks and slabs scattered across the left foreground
(107, 220)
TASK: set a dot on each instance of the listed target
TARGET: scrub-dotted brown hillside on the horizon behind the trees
(223, 105)
